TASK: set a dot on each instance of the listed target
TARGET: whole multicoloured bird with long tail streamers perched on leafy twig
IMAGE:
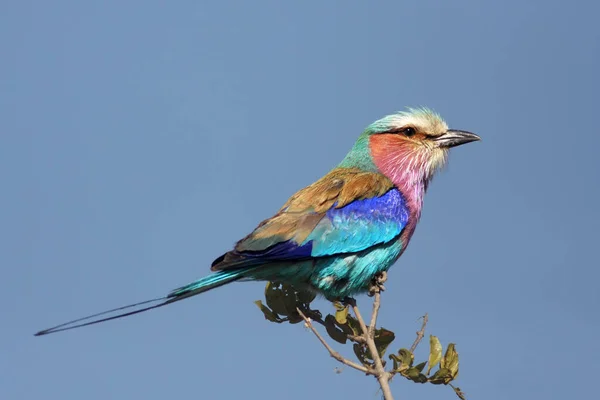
(336, 236)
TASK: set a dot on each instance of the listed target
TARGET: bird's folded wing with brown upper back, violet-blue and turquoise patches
(346, 211)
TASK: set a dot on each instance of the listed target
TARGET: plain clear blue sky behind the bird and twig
(140, 139)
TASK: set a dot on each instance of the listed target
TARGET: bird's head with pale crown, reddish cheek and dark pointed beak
(408, 147)
